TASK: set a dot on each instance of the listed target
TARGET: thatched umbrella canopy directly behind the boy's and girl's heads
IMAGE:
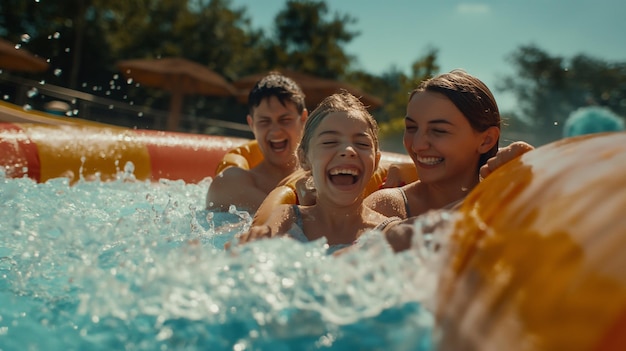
(315, 88)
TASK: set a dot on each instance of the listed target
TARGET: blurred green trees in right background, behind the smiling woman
(548, 88)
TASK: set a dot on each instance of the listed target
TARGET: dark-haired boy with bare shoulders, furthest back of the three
(276, 115)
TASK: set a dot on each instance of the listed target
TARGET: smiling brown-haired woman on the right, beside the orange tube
(452, 127)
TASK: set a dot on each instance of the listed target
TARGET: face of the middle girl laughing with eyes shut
(341, 157)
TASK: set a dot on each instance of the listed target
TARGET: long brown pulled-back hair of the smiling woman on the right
(472, 97)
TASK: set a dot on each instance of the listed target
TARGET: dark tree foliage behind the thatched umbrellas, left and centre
(84, 39)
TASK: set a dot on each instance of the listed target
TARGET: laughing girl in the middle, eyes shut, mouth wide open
(339, 149)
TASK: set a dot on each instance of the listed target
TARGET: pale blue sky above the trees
(476, 36)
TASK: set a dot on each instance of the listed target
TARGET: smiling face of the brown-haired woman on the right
(440, 140)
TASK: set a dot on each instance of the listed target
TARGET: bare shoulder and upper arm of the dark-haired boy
(234, 186)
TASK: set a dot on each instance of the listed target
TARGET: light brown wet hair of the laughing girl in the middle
(340, 102)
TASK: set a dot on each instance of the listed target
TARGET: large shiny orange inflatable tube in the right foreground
(537, 260)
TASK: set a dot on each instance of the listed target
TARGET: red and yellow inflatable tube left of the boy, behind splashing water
(42, 152)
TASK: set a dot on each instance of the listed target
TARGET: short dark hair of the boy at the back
(275, 84)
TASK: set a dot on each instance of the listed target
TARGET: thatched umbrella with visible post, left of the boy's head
(178, 76)
